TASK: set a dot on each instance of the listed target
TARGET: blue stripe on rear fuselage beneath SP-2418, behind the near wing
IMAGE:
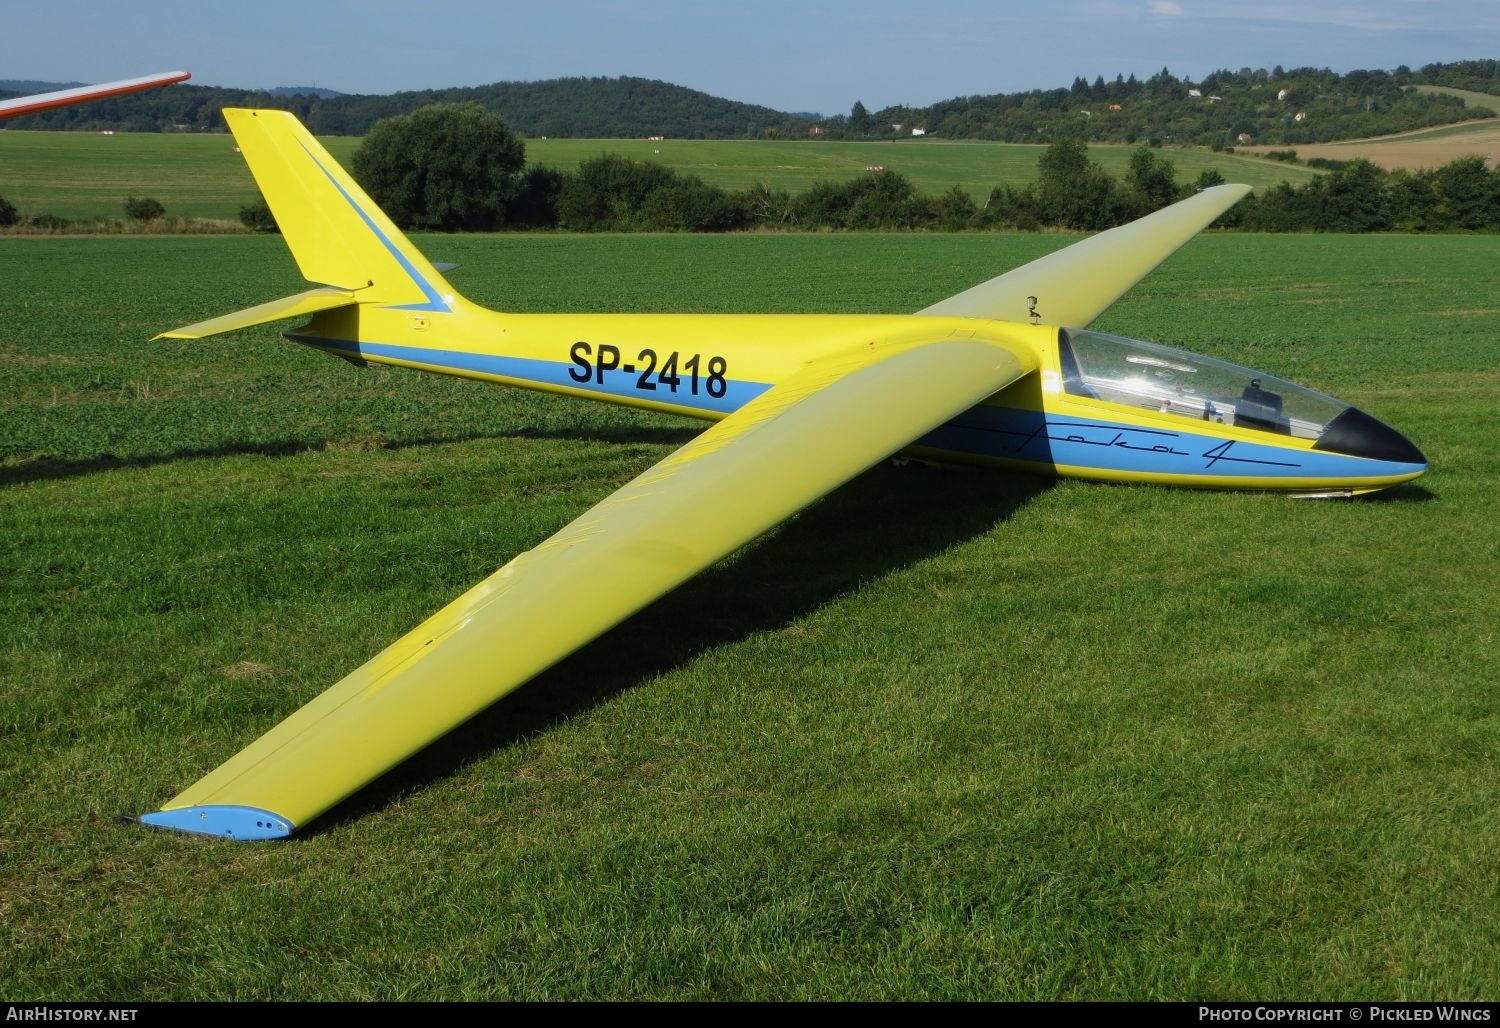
(550, 373)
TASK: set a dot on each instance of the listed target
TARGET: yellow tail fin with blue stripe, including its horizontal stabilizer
(337, 233)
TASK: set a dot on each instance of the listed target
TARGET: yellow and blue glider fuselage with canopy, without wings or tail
(1169, 418)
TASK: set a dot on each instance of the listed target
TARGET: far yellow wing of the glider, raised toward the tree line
(1076, 284)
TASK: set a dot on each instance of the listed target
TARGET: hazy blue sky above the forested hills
(800, 56)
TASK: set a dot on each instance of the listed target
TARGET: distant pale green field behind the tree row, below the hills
(77, 175)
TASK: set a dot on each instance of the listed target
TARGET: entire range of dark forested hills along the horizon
(1225, 109)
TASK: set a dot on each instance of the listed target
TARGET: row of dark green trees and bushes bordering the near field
(458, 167)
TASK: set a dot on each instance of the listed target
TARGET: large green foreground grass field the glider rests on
(944, 736)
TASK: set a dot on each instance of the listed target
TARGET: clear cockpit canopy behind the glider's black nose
(1189, 385)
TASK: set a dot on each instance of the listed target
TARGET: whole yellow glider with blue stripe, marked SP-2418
(803, 404)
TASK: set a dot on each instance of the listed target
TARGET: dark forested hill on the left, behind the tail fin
(560, 107)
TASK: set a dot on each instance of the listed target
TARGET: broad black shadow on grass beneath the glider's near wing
(889, 519)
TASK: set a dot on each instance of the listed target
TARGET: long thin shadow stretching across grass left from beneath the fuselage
(46, 467)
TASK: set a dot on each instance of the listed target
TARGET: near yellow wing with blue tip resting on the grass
(739, 479)
